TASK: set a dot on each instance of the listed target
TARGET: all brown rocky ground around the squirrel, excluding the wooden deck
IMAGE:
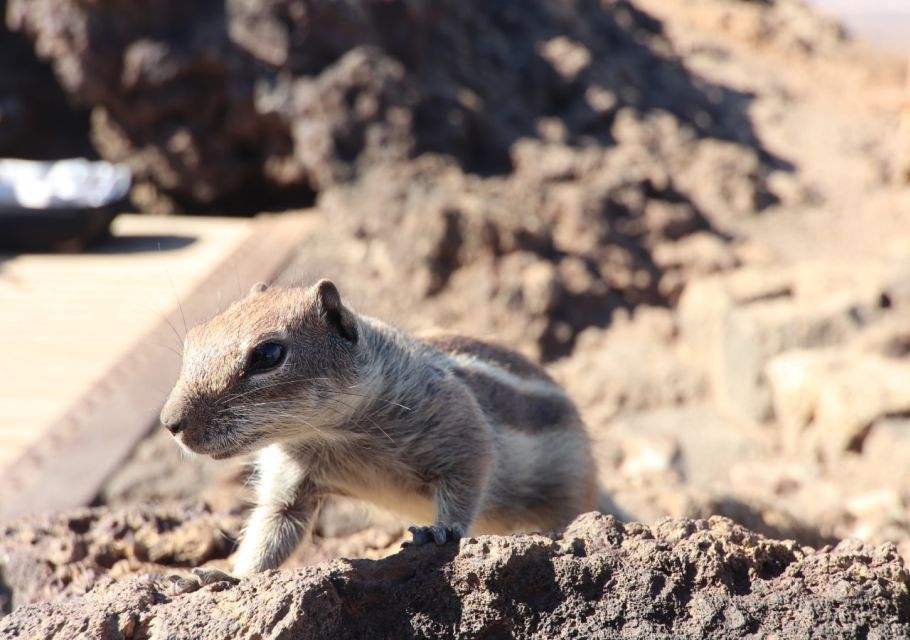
(695, 212)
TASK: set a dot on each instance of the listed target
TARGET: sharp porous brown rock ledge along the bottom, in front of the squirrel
(598, 578)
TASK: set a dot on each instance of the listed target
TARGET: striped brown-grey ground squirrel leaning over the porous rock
(456, 433)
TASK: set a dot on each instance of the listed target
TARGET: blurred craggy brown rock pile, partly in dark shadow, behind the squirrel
(562, 152)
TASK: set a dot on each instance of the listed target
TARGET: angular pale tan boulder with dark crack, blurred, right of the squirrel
(735, 323)
